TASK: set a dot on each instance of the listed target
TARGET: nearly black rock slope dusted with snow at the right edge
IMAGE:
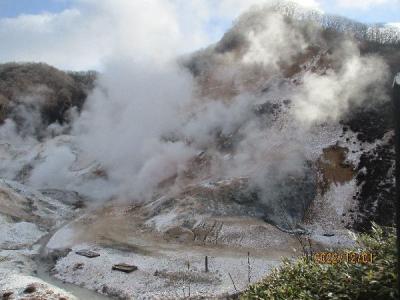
(374, 128)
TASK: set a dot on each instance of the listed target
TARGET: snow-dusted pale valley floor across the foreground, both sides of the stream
(167, 267)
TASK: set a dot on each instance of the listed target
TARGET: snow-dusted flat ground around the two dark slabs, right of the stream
(163, 275)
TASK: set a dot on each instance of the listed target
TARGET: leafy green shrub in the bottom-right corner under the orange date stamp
(308, 279)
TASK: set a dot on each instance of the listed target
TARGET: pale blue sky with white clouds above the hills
(81, 34)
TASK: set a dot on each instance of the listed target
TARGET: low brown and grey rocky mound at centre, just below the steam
(282, 202)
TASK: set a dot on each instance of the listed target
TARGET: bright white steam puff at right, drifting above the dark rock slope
(330, 96)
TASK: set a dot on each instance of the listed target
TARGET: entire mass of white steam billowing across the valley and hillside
(148, 117)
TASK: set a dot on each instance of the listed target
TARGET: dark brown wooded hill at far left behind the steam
(37, 95)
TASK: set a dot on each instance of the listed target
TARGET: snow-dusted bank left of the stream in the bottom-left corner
(26, 218)
